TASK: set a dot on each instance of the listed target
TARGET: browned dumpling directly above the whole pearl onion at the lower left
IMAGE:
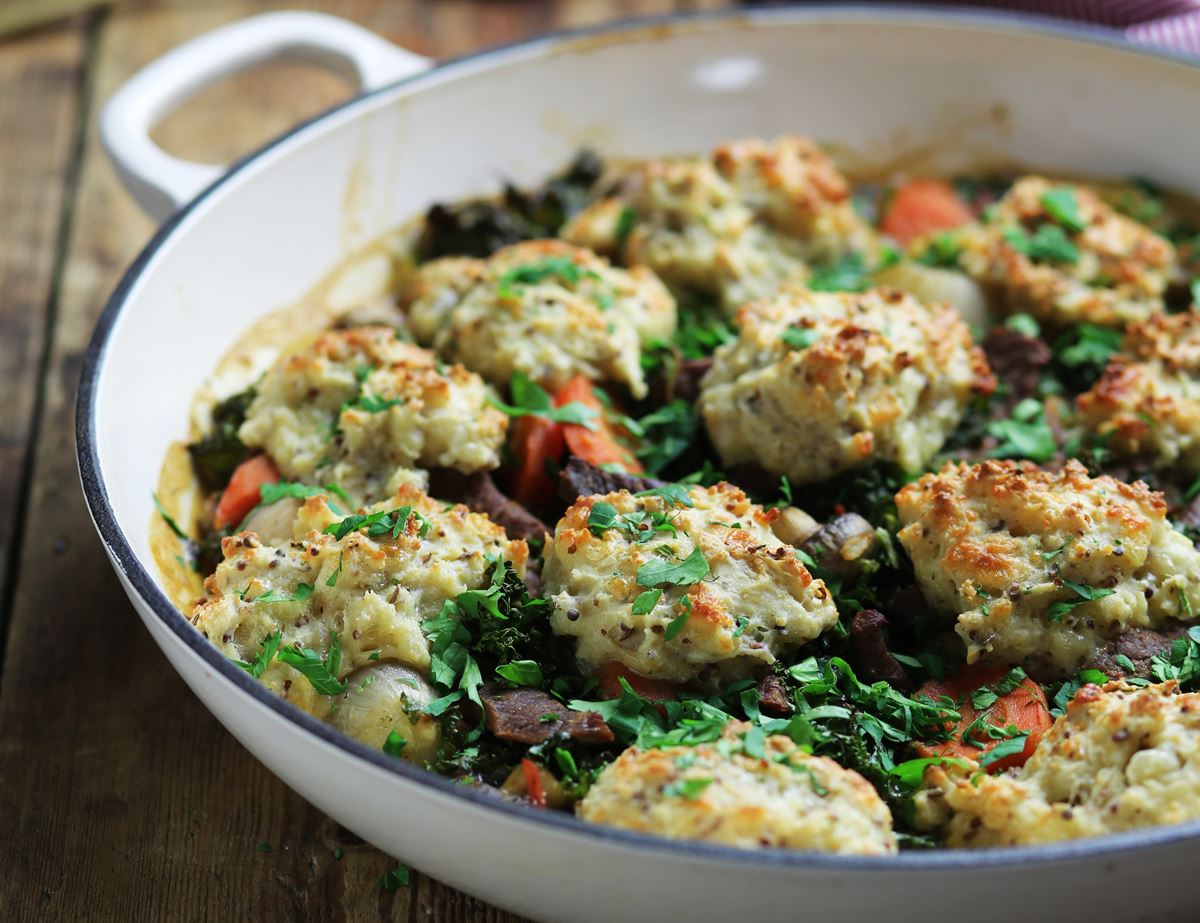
(373, 594)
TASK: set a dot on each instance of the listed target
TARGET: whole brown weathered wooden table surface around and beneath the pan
(121, 798)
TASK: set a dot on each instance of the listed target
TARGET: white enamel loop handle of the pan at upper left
(161, 183)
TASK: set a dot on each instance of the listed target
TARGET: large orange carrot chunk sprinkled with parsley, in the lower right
(1025, 709)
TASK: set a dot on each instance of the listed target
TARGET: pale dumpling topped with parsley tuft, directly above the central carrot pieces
(543, 308)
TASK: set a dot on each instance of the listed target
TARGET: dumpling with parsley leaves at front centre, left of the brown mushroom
(752, 600)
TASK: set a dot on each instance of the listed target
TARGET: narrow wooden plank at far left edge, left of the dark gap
(39, 116)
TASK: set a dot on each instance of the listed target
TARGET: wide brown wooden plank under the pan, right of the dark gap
(124, 798)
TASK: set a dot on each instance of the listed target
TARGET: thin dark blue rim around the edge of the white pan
(118, 546)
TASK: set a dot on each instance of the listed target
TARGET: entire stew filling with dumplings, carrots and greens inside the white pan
(724, 499)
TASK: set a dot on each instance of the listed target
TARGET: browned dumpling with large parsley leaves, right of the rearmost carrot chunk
(1119, 275)
